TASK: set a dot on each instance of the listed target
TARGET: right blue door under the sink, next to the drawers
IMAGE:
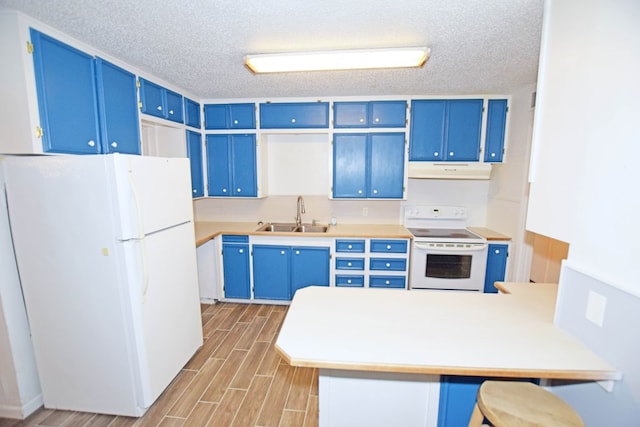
(309, 267)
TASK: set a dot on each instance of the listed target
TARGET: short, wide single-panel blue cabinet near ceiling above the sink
(294, 115)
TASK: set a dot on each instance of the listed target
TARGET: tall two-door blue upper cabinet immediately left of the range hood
(368, 165)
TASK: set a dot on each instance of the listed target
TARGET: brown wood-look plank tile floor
(235, 379)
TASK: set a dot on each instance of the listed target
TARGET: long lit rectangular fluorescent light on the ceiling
(403, 57)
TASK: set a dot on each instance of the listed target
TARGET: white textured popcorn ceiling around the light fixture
(477, 46)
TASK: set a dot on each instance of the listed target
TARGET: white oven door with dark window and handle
(455, 266)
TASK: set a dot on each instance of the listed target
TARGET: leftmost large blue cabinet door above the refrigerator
(67, 97)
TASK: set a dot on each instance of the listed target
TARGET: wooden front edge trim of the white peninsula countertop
(449, 370)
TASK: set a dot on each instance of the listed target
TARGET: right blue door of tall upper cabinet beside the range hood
(386, 165)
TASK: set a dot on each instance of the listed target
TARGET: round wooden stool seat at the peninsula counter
(521, 404)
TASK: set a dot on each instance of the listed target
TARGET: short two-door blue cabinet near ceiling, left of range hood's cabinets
(374, 114)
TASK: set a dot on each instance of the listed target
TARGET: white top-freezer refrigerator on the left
(105, 250)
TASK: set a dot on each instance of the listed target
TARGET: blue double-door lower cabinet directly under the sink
(279, 271)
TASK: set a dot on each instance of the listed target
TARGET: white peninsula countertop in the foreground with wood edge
(435, 332)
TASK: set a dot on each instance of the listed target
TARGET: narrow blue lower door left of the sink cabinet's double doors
(235, 260)
